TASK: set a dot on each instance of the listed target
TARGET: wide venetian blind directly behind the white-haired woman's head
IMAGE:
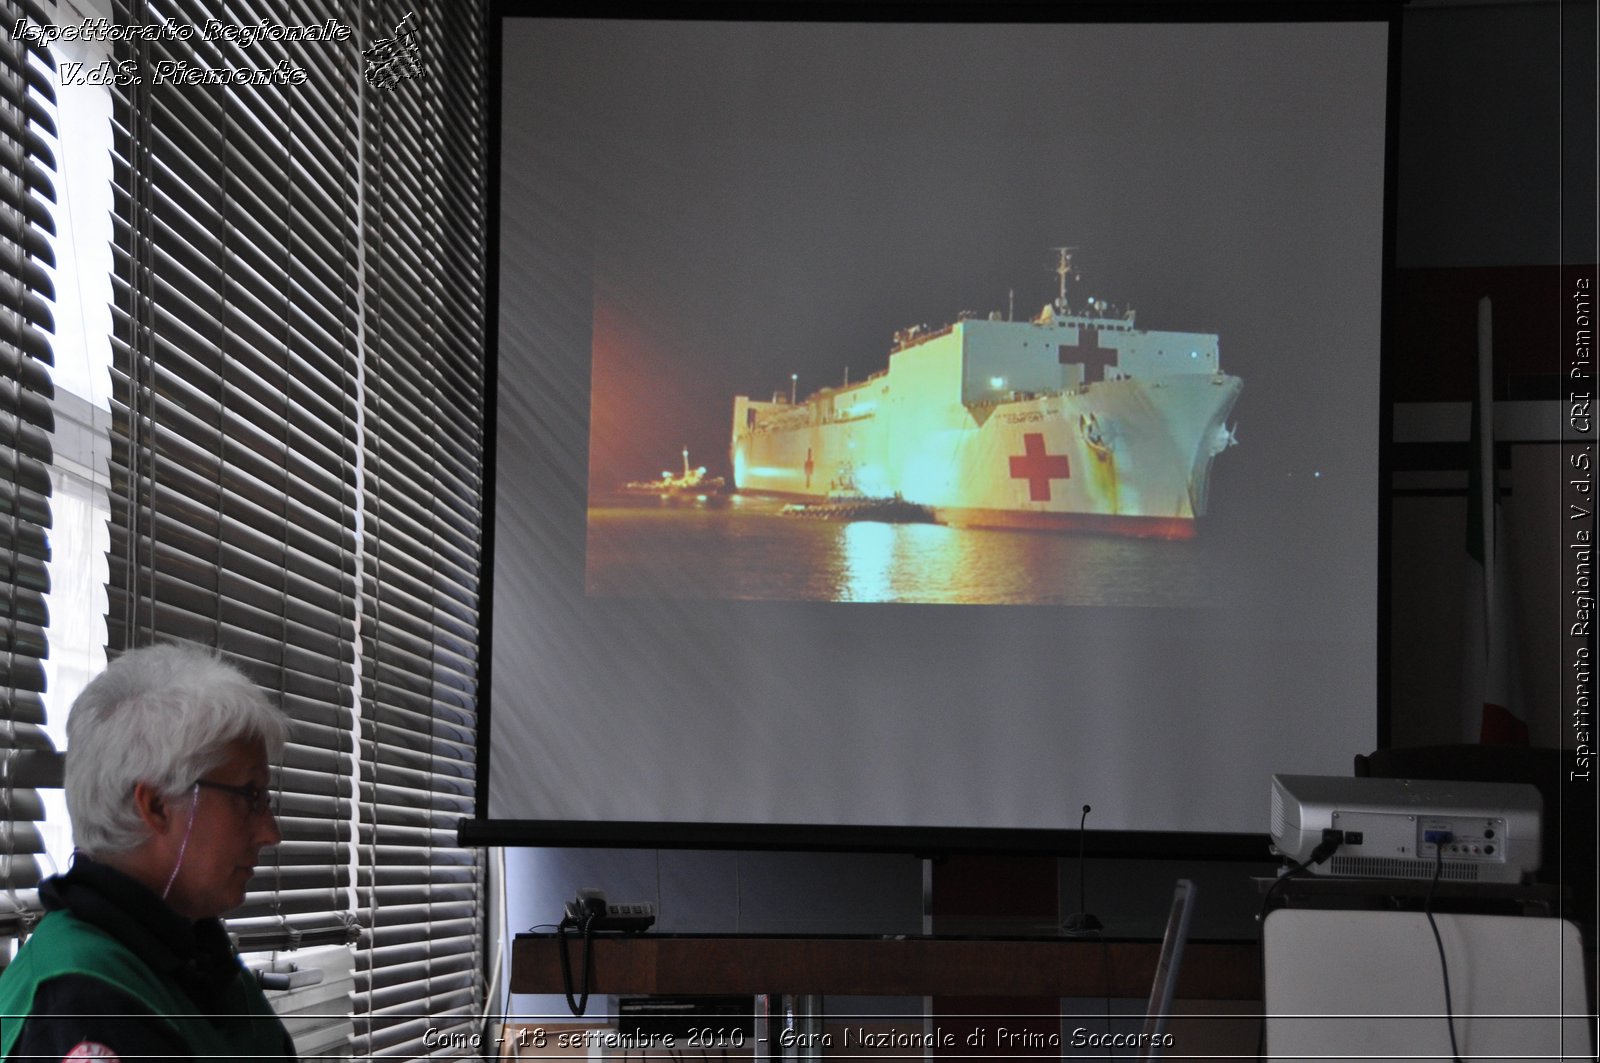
(236, 364)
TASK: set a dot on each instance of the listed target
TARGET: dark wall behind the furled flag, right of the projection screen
(1497, 193)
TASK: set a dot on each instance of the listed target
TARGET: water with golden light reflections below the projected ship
(750, 552)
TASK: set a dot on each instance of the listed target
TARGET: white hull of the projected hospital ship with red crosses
(1129, 455)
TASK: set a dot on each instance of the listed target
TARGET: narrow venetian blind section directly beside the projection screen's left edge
(425, 303)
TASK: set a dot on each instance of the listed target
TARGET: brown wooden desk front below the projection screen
(959, 968)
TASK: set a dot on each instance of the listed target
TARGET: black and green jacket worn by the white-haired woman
(113, 966)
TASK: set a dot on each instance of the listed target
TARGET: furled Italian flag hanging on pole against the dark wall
(1492, 705)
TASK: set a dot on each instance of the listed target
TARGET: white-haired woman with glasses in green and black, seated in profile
(167, 788)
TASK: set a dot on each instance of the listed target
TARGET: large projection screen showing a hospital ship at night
(921, 427)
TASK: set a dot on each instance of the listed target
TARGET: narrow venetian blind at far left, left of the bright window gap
(26, 196)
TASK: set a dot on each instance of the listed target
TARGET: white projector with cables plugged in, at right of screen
(1396, 828)
